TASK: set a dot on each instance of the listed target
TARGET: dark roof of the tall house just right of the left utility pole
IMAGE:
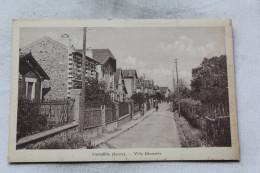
(102, 55)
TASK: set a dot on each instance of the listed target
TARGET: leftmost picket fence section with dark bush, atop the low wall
(34, 117)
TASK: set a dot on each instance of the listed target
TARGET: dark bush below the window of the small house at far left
(29, 120)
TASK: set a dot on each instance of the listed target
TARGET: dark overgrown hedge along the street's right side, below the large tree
(215, 125)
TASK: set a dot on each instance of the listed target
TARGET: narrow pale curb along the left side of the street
(109, 137)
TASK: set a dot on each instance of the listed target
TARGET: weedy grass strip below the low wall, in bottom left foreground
(69, 140)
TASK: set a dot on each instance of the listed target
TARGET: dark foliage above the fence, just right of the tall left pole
(96, 94)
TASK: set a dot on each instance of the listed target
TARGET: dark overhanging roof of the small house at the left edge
(28, 61)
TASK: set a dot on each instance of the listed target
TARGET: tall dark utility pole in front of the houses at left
(83, 84)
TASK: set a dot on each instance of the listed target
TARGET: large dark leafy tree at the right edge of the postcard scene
(209, 84)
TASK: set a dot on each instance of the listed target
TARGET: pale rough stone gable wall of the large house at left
(53, 58)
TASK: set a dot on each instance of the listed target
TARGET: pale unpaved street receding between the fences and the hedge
(159, 130)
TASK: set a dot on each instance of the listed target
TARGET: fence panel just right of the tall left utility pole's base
(92, 118)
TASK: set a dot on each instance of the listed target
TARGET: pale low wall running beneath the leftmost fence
(38, 137)
